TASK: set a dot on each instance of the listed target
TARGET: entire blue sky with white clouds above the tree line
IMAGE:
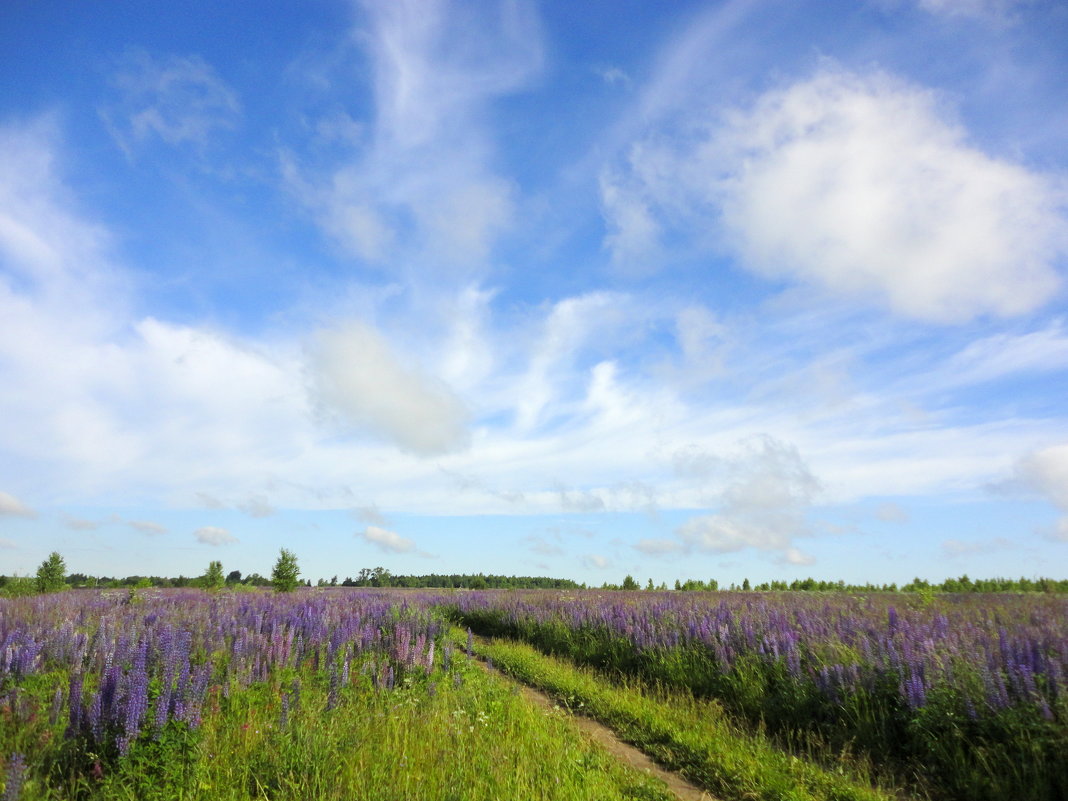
(694, 290)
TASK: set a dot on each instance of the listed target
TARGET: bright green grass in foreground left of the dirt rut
(465, 736)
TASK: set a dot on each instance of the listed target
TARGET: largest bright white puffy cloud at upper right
(861, 185)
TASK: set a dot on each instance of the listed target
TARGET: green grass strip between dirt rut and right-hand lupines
(693, 737)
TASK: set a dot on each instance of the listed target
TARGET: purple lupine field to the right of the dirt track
(964, 697)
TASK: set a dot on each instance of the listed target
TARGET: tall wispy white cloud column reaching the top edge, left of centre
(423, 189)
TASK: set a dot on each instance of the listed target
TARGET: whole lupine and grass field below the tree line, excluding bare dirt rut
(379, 695)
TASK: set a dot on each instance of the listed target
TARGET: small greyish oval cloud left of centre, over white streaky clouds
(358, 376)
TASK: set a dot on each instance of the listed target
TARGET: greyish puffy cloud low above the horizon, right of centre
(764, 501)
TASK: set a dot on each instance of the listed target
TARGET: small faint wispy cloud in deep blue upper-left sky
(181, 100)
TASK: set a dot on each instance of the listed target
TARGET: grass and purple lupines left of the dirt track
(190, 696)
